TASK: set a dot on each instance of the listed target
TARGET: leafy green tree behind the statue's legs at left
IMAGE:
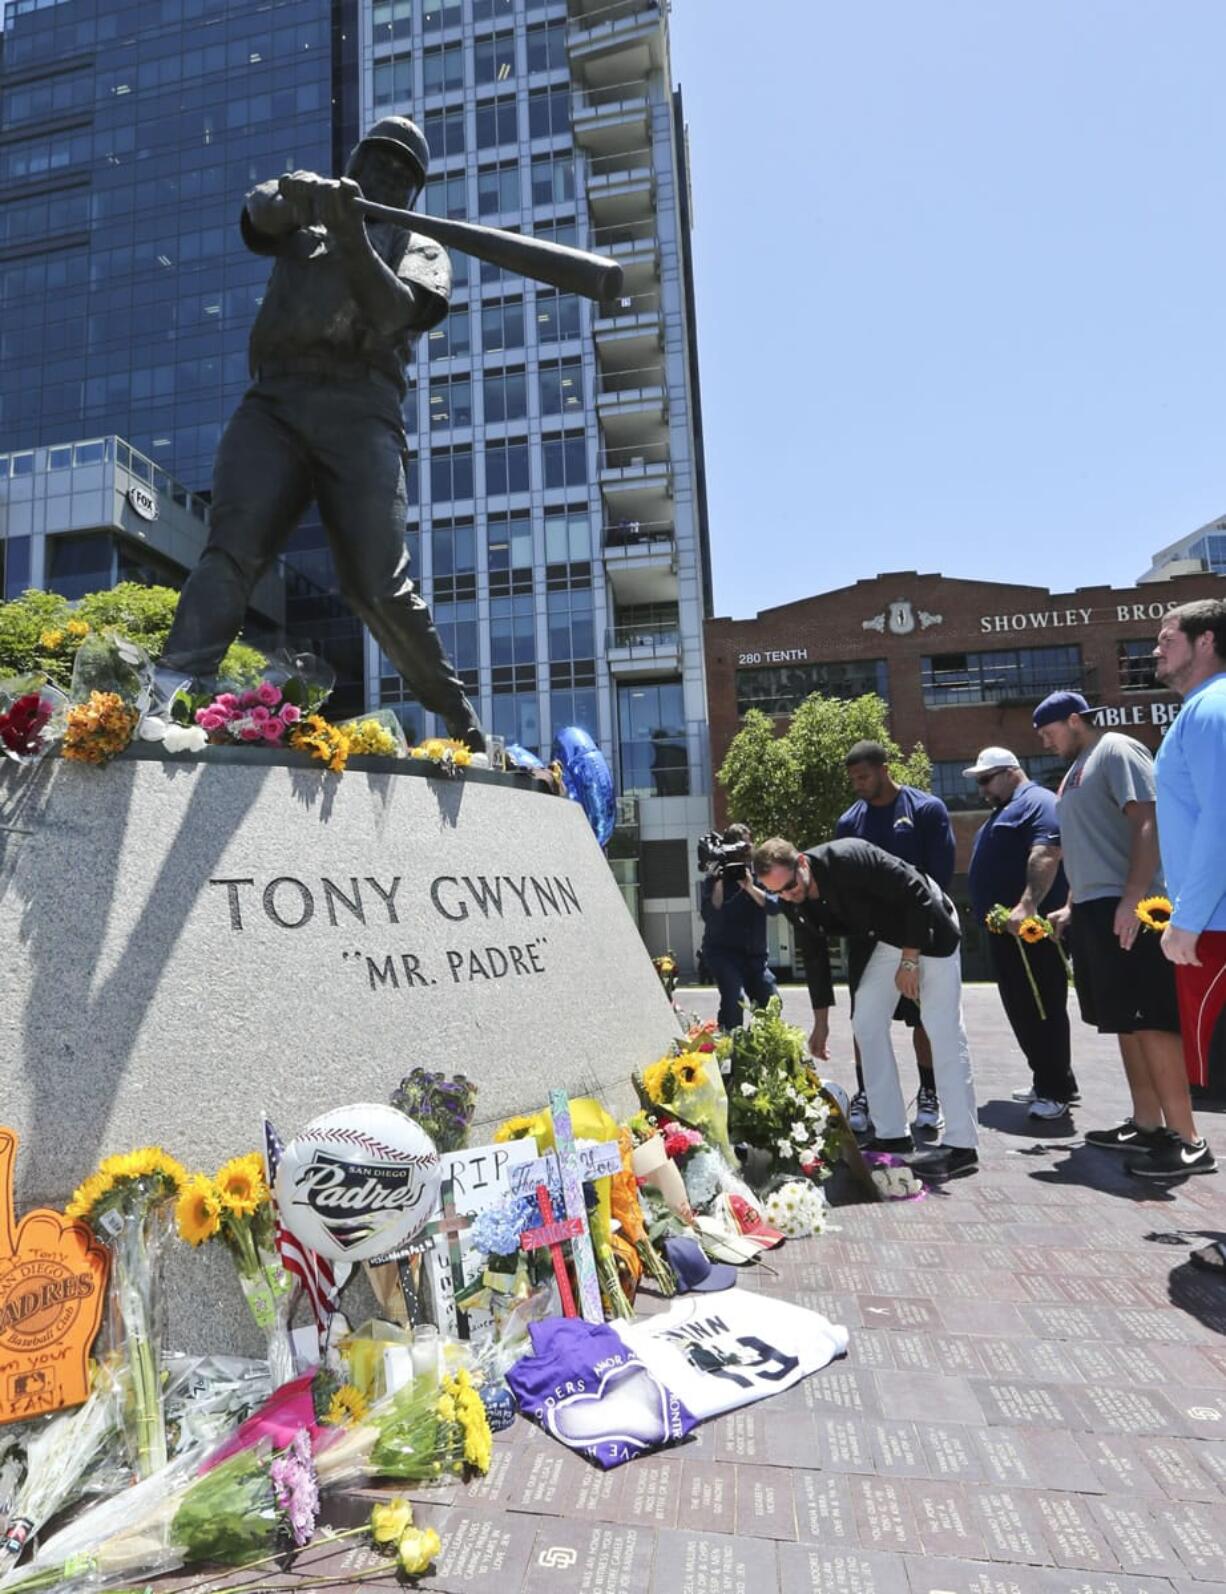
(41, 632)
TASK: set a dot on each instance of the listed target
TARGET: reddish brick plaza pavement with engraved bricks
(1034, 1400)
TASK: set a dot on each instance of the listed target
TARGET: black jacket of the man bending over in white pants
(866, 892)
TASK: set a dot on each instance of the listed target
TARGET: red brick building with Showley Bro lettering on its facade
(961, 664)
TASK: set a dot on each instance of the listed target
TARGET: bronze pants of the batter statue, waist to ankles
(340, 444)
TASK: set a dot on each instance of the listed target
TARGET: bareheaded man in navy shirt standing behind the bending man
(914, 826)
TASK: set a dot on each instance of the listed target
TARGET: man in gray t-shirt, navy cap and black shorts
(1109, 838)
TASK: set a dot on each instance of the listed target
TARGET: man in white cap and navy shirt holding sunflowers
(1016, 863)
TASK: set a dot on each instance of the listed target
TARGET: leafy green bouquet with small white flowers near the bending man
(777, 1099)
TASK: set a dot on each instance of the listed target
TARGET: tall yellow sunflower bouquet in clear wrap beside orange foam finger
(127, 1203)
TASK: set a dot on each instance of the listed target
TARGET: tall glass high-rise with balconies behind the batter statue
(559, 527)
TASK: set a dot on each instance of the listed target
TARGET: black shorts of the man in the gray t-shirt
(1120, 992)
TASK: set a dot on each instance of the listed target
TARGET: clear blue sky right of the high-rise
(962, 286)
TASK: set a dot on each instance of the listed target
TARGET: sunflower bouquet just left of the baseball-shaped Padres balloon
(237, 1207)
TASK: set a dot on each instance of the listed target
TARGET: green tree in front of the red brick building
(796, 785)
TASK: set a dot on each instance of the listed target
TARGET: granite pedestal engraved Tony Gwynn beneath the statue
(187, 943)
